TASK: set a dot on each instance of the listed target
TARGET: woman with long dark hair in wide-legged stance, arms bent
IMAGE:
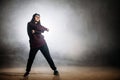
(37, 42)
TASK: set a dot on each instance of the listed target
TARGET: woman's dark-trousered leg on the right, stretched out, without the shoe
(45, 51)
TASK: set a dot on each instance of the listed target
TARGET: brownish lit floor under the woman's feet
(66, 73)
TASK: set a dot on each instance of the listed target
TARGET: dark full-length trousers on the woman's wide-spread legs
(45, 51)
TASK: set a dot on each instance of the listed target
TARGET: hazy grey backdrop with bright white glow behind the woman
(81, 32)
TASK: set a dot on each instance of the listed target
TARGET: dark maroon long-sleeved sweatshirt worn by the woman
(36, 39)
